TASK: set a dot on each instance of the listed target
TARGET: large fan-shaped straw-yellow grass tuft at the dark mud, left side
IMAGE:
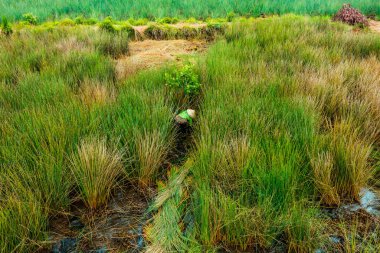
(95, 168)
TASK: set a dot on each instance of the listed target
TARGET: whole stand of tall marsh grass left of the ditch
(58, 94)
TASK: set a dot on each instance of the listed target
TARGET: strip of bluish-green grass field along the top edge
(48, 9)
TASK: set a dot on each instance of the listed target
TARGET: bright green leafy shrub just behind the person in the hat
(185, 80)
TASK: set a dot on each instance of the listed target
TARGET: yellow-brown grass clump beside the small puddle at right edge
(341, 164)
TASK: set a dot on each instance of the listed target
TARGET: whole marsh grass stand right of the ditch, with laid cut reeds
(289, 120)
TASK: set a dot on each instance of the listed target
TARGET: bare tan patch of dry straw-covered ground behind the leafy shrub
(152, 53)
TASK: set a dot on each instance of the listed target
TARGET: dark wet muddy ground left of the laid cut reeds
(116, 228)
